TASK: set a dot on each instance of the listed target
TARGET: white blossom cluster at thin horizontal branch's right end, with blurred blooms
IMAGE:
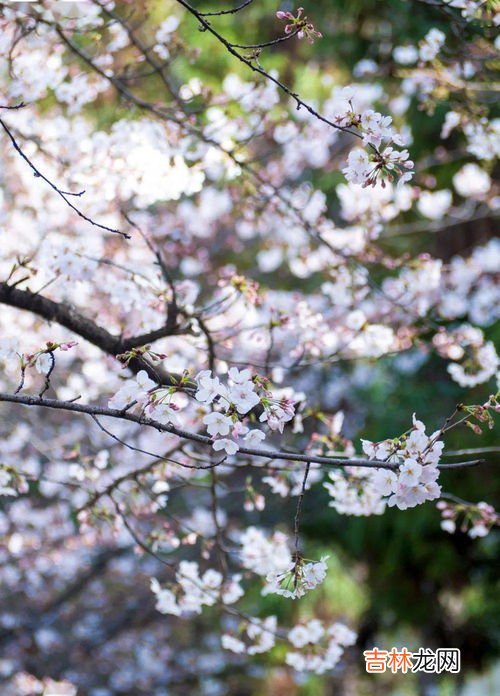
(414, 481)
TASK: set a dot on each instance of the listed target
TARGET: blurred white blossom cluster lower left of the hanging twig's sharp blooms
(197, 590)
